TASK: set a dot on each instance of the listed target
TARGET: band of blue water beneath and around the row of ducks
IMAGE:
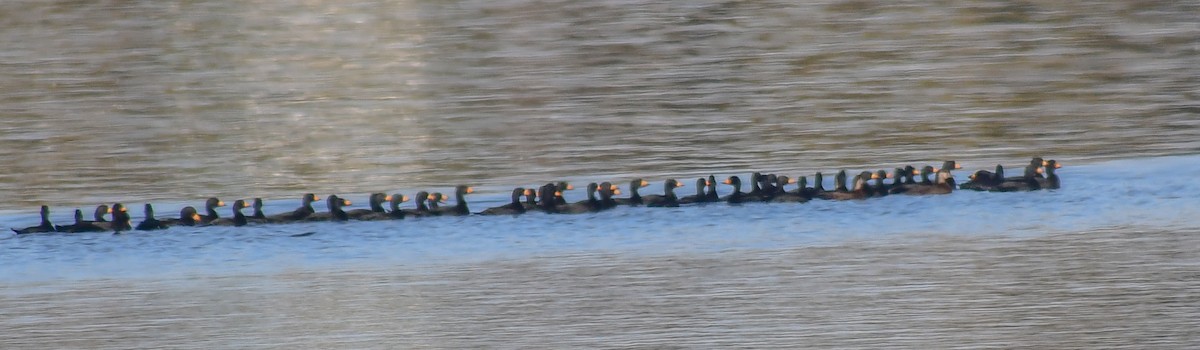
(1141, 194)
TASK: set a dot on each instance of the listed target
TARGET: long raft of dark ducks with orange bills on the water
(549, 198)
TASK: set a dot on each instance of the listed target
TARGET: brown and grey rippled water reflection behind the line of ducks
(166, 101)
